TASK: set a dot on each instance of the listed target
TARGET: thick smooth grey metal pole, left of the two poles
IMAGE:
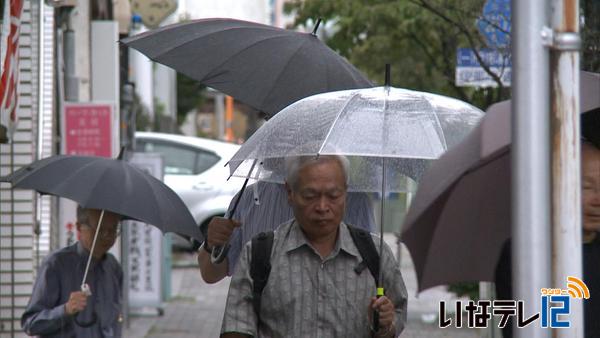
(530, 160)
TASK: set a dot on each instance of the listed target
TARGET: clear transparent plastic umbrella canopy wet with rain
(406, 127)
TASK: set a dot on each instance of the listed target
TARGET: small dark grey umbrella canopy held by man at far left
(108, 184)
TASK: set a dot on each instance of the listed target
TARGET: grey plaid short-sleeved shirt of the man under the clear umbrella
(307, 296)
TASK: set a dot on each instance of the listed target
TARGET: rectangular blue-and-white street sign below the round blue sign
(469, 72)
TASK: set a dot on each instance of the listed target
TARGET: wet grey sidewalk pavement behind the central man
(196, 309)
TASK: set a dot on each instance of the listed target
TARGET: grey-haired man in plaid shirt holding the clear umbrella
(315, 287)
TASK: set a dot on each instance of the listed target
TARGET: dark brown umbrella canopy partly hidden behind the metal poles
(461, 214)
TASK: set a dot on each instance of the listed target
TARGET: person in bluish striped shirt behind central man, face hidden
(271, 211)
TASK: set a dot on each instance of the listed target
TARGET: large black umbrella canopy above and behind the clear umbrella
(265, 67)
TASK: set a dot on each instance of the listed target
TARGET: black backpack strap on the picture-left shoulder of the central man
(260, 266)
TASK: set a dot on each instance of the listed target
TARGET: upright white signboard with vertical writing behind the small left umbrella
(144, 248)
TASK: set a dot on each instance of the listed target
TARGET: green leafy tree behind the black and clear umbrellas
(418, 38)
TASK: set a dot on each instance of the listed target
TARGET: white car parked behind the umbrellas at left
(195, 169)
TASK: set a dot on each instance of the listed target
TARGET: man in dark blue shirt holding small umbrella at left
(58, 308)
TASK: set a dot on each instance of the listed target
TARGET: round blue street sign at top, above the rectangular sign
(494, 23)
